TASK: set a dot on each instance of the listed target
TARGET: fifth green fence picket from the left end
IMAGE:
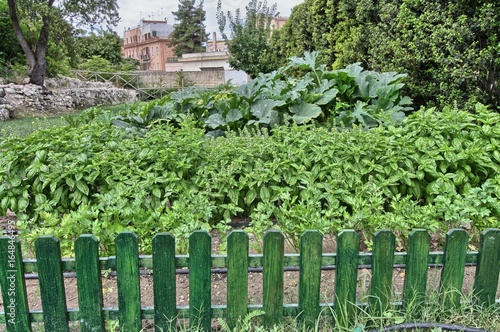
(164, 282)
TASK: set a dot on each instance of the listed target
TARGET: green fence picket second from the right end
(452, 275)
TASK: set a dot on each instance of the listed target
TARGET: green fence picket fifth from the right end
(346, 277)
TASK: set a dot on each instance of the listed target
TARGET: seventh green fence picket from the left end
(237, 277)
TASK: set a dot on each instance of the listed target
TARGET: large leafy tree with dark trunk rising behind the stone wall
(44, 14)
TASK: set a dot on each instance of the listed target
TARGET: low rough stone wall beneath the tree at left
(61, 95)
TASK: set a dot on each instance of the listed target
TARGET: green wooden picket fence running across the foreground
(127, 263)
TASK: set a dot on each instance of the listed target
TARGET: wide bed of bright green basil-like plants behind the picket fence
(437, 170)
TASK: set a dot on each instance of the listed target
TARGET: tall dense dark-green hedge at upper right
(448, 49)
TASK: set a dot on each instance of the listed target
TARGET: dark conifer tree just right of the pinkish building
(189, 33)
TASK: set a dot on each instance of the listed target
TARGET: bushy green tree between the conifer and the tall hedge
(250, 37)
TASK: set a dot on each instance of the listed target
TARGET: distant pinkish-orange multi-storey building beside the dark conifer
(149, 44)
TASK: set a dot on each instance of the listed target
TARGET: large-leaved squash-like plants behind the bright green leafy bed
(300, 92)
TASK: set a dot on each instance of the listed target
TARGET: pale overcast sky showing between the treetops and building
(132, 11)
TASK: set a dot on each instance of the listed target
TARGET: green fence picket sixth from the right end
(311, 247)
